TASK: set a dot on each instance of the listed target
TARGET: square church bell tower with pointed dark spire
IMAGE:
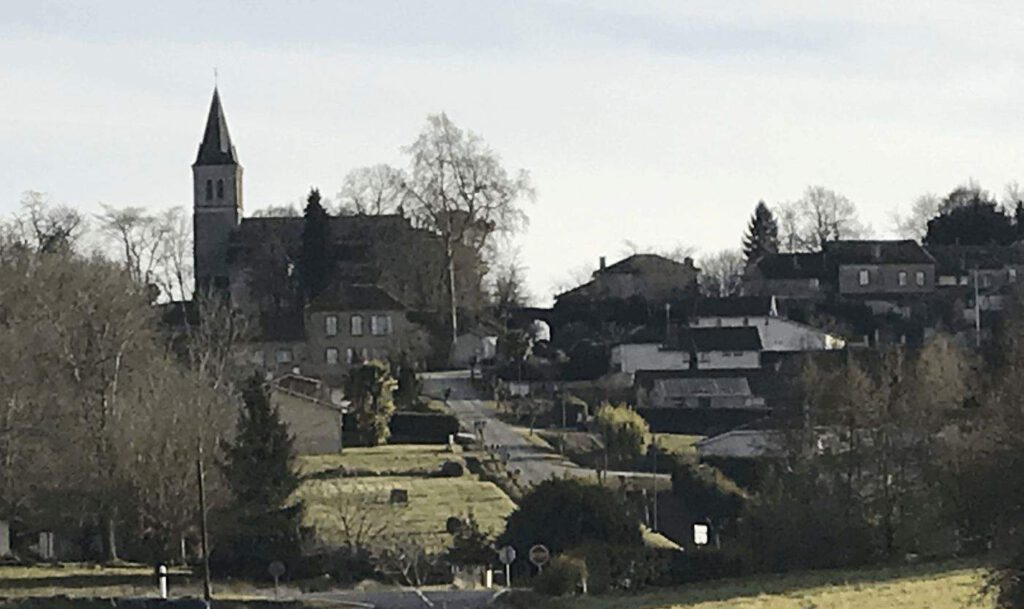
(217, 201)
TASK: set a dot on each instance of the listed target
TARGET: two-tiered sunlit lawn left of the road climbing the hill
(331, 500)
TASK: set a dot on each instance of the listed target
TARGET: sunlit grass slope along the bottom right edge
(950, 586)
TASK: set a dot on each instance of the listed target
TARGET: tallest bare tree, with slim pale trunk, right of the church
(458, 189)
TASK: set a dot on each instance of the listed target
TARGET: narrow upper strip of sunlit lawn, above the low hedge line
(406, 459)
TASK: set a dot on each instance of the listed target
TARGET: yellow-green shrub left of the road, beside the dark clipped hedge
(371, 389)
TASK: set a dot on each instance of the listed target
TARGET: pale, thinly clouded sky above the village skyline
(658, 123)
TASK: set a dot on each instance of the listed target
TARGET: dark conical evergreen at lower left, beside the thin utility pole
(259, 470)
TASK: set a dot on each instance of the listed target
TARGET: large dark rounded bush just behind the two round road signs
(565, 514)
